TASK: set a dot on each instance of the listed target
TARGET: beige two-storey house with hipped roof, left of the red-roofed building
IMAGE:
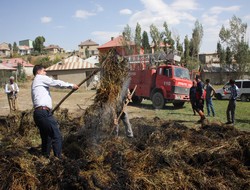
(89, 46)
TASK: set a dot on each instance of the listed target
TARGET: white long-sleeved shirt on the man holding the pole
(40, 90)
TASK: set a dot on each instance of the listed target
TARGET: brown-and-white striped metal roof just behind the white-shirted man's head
(71, 63)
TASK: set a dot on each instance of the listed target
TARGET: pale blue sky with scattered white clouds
(67, 23)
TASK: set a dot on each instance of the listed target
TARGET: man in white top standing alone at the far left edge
(12, 89)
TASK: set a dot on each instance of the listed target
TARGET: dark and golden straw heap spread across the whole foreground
(163, 155)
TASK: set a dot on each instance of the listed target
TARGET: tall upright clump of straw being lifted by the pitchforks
(99, 117)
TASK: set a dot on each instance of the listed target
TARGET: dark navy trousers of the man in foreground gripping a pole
(49, 132)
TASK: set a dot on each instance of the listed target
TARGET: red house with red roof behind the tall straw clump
(120, 45)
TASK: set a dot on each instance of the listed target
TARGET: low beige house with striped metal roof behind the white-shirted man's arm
(72, 69)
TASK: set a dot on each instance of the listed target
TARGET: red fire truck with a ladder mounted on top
(159, 79)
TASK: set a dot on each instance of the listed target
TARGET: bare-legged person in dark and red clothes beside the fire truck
(199, 104)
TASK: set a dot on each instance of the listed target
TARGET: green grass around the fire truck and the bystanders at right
(185, 114)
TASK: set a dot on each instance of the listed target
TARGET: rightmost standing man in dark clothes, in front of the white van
(232, 102)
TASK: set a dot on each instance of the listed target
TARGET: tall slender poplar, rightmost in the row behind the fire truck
(197, 36)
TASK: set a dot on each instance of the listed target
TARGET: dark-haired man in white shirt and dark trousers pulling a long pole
(42, 103)
